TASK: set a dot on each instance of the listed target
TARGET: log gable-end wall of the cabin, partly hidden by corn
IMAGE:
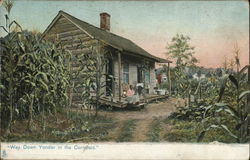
(71, 37)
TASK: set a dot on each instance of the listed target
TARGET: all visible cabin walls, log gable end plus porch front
(71, 37)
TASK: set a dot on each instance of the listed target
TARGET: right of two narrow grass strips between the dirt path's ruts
(154, 130)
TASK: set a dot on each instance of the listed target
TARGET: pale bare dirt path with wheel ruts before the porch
(143, 119)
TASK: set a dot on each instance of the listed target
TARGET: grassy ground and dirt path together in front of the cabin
(119, 125)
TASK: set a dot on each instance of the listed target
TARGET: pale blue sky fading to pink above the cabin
(213, 26)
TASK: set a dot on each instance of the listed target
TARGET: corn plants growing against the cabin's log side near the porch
(91, 75)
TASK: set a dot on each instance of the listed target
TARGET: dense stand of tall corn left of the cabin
(34, 76)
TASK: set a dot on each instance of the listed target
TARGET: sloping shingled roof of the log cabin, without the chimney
(107, 37)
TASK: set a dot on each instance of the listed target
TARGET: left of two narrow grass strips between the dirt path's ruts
(127, 130)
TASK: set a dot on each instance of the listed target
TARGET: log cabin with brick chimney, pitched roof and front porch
(128, 58)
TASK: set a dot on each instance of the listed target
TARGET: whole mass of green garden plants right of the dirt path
(220, 103)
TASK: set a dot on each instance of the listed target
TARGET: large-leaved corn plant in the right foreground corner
(235, 107)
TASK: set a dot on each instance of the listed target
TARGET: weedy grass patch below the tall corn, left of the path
(77, 127)
